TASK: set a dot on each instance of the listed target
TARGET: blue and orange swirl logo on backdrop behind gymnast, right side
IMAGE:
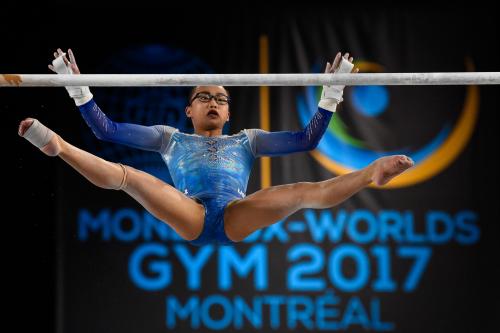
(341, 153)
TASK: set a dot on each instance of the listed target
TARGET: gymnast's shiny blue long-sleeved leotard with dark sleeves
(214, 170)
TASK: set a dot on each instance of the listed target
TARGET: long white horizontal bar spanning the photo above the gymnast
(161, 80)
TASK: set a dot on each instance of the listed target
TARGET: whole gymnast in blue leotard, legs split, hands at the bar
(210, 171)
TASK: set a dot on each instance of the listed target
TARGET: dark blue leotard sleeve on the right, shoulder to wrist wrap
(265, 143)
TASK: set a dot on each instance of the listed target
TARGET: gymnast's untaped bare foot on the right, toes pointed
(386, 168)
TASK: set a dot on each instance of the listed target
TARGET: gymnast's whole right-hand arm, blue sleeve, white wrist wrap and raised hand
(265, 143)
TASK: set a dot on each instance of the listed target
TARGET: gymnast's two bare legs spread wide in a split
(186, 216)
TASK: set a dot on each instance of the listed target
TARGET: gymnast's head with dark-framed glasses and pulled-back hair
(208, 107)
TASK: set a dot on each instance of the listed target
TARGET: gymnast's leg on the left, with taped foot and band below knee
(165, 202)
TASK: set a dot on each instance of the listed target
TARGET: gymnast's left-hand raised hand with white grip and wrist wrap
(61, 65)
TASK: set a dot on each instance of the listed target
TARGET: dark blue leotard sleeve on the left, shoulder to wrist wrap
(153, 138)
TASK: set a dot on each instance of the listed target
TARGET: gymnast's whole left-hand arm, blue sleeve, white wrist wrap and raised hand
(153, 138)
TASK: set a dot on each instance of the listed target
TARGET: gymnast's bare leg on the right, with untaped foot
(270, 205)
